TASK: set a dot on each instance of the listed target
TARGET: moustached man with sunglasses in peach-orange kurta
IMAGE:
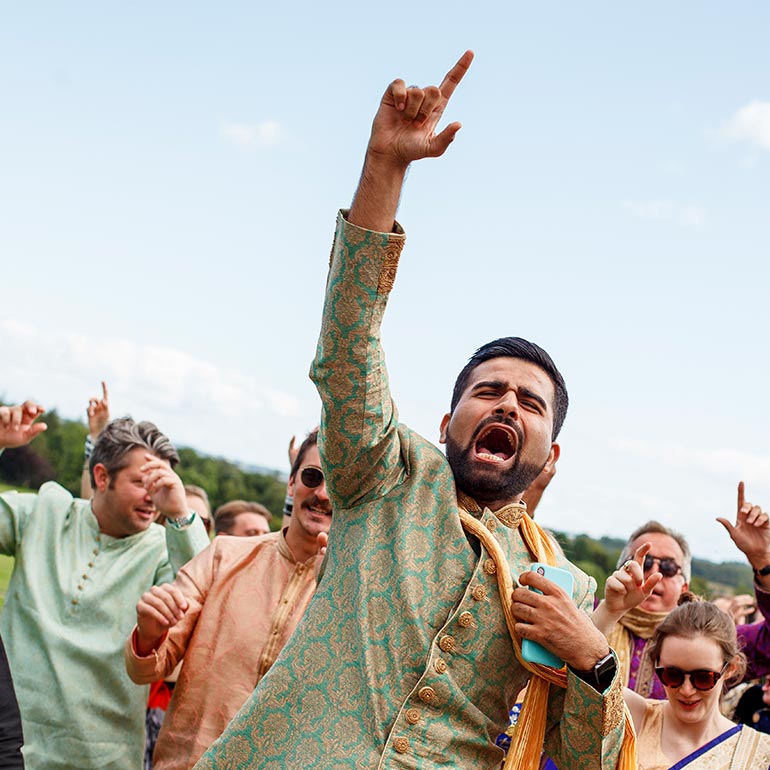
(227, 616)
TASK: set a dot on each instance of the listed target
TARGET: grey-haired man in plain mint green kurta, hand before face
(80, 567)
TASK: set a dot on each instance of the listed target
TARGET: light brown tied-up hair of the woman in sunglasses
(695, 617)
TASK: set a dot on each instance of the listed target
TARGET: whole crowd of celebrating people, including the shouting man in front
(389, 622)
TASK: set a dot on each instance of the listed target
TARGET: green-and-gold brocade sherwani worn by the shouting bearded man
(403, 659)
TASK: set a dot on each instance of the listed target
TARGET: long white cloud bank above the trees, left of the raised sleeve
(216, 409)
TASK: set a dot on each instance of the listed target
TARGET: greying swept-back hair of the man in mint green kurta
(123, 435)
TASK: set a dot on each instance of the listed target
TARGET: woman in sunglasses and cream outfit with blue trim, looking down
(695, 651)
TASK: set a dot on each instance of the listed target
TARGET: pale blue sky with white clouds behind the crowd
(170, 174)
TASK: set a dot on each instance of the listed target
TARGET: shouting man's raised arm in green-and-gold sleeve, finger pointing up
(359, 442)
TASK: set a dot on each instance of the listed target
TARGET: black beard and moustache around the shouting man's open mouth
(489, 485)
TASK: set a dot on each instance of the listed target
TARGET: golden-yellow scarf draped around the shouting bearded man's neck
(529, 735)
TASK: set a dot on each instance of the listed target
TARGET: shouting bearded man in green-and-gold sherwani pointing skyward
(404, 659)
